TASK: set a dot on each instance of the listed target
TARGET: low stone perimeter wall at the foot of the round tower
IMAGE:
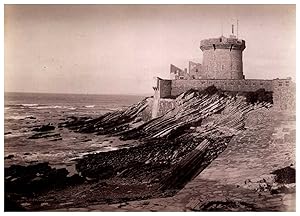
(283, 91)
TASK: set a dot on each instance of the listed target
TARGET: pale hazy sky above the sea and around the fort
(119, 49)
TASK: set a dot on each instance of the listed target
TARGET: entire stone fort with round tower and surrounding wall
(222, 67)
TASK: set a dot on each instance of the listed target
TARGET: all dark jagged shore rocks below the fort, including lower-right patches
(166, 154)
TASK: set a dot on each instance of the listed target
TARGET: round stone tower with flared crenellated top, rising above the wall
(222, 58)
